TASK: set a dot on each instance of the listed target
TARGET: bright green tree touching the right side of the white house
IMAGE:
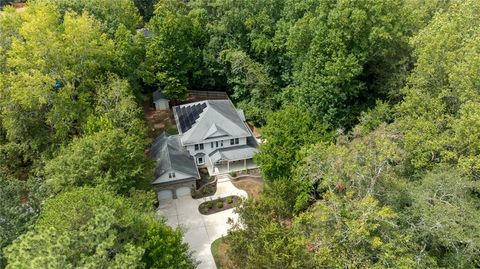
(287, 130)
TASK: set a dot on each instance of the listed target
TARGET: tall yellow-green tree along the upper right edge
(442, 87)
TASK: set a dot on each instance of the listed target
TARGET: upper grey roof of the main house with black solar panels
(202, 120)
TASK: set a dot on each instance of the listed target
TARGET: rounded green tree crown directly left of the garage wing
(110, 158)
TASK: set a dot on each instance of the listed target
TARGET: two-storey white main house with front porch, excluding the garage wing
(215, 133)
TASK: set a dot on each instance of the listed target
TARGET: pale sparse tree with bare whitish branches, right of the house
(366, 166)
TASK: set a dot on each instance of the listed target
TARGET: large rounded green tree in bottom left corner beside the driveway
(90, 227)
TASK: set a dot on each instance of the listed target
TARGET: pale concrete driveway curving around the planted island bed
(200, 230)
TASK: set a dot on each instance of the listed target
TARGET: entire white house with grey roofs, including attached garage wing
(212, 134)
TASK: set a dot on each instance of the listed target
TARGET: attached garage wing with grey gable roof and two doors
(175, 171)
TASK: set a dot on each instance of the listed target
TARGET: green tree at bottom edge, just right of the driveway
(260, 240)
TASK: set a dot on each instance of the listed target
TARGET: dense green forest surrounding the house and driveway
(370, 113)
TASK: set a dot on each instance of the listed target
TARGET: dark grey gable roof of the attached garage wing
(169, 154)
